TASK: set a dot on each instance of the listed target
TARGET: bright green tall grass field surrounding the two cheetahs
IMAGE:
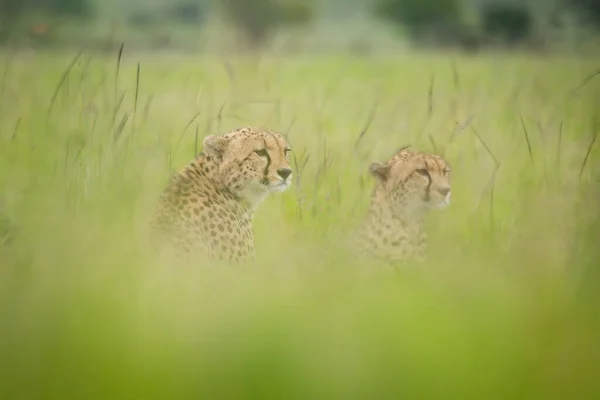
(507, 307)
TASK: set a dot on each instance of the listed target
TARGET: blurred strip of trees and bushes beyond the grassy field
(360, 26)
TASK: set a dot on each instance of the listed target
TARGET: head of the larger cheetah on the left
(252, 162)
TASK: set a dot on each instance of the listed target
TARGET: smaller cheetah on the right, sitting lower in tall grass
(407, 187)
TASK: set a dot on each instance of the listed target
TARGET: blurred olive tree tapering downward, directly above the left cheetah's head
(255, 20)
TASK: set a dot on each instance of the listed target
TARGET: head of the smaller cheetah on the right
(413, 182)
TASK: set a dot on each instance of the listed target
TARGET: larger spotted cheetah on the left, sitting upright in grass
(207, 208)
